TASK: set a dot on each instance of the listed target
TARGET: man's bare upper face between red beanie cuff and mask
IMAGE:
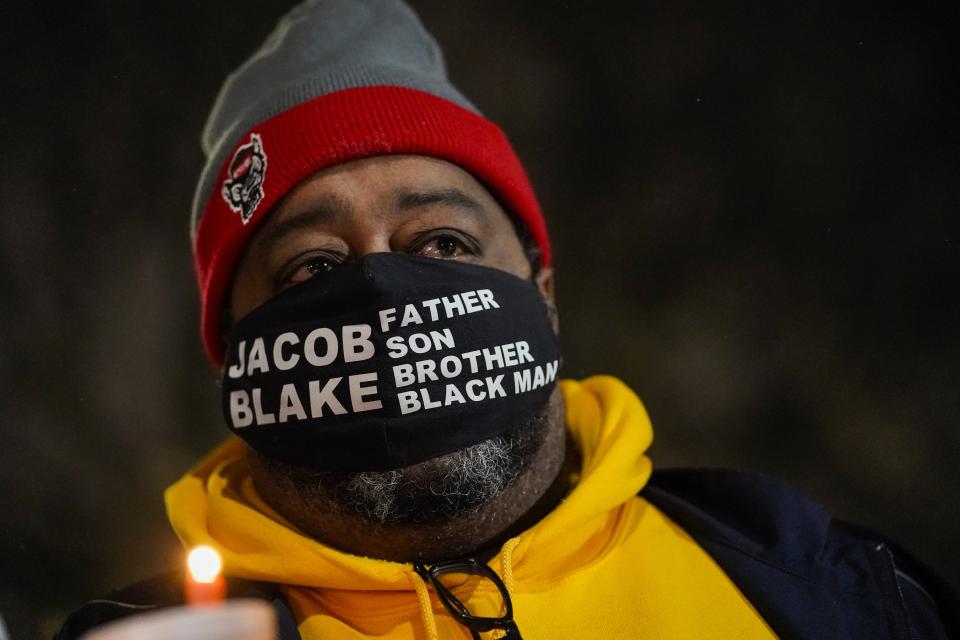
(407, 204)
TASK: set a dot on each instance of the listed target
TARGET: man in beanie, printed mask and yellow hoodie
(377, 288)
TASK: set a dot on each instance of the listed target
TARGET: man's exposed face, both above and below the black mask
(419, 206)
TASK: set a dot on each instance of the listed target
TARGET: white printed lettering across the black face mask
(427, 370)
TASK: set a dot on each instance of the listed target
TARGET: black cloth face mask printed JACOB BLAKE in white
(389, 361)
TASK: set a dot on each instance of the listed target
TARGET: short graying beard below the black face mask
(439, 489)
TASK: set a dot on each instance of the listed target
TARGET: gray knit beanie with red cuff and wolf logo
(336, 80)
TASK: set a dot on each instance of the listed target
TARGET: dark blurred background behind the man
(754, 211)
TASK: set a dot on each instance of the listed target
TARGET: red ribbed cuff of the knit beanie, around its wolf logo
(342, 126)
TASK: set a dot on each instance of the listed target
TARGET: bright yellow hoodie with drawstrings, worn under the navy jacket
(604, 564)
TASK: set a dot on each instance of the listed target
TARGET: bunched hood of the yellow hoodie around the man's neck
(216, 504)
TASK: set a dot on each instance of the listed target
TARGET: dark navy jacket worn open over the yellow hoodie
(809, 576)
